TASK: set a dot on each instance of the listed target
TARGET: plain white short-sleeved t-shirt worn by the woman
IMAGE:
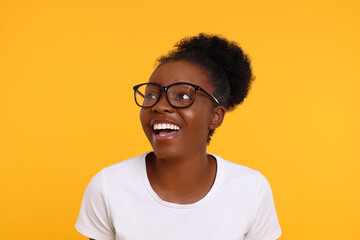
(119, 203)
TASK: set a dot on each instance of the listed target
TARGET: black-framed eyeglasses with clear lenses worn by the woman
(179, 95)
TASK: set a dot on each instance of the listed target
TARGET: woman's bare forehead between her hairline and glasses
(180, 71)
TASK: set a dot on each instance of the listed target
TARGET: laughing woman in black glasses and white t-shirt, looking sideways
(179, 191)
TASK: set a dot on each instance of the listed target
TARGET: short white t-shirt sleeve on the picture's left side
(94, 220)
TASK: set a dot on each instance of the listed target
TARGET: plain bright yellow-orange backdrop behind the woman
(66, 104)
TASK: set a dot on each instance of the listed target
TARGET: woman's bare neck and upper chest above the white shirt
(184, 179)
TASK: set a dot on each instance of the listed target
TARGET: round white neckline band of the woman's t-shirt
(154, 195)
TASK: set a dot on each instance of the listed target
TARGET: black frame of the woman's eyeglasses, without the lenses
(165, 89)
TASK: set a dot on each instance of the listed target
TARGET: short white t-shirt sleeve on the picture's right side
(265, 225)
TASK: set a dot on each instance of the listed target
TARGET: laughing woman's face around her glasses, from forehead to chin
(193, 122)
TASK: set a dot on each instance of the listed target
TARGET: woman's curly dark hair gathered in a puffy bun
(227, 66)
